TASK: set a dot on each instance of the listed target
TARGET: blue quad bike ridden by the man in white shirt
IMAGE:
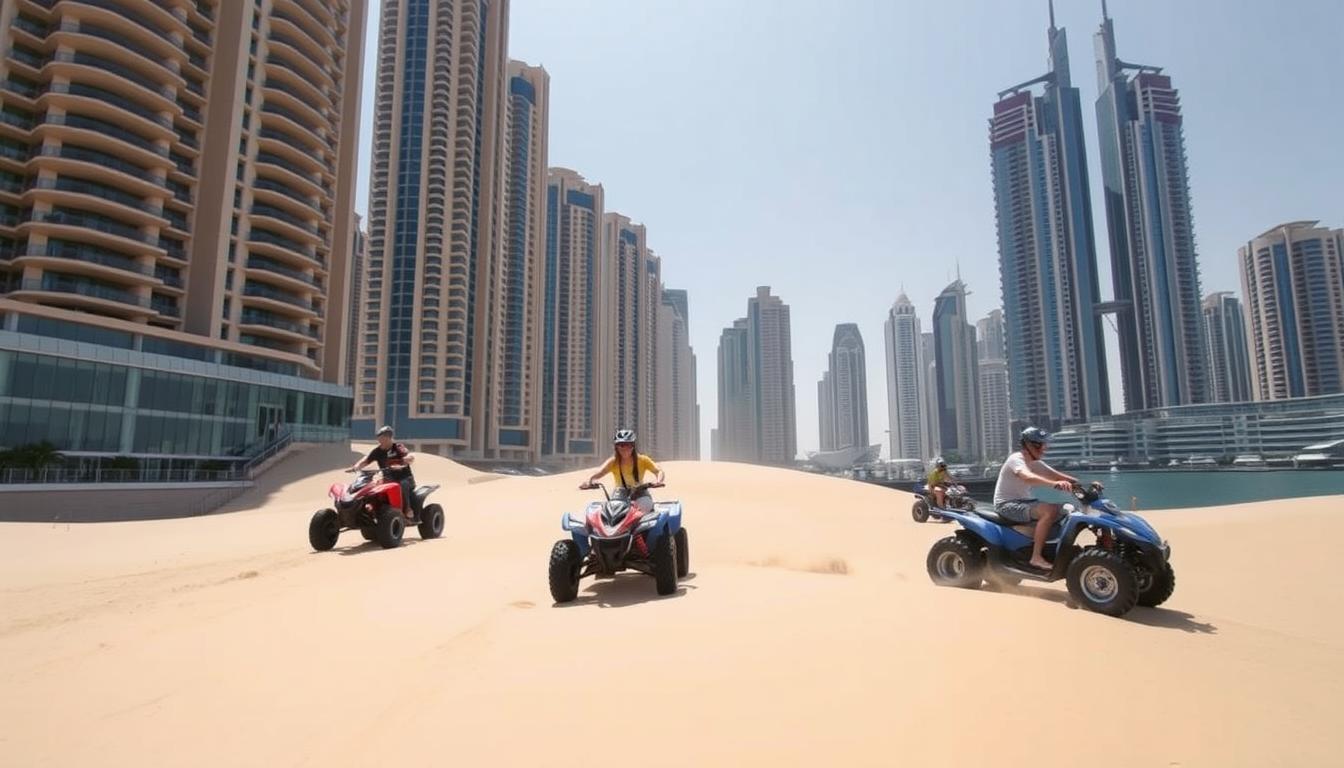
(1127, 566)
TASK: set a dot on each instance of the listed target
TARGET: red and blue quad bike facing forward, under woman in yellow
(616, 536)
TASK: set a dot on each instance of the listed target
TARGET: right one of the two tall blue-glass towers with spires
(1152, 239)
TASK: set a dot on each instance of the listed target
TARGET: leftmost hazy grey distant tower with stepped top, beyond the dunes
(757, 420)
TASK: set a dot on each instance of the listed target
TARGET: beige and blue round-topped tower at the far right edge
(1294, 282)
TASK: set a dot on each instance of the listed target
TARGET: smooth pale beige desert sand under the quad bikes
(807, 636)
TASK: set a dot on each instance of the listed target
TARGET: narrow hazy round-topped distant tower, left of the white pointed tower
(845, 392)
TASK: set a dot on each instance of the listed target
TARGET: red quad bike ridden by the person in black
(376, 509)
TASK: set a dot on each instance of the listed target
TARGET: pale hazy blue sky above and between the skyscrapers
(838, 151)
